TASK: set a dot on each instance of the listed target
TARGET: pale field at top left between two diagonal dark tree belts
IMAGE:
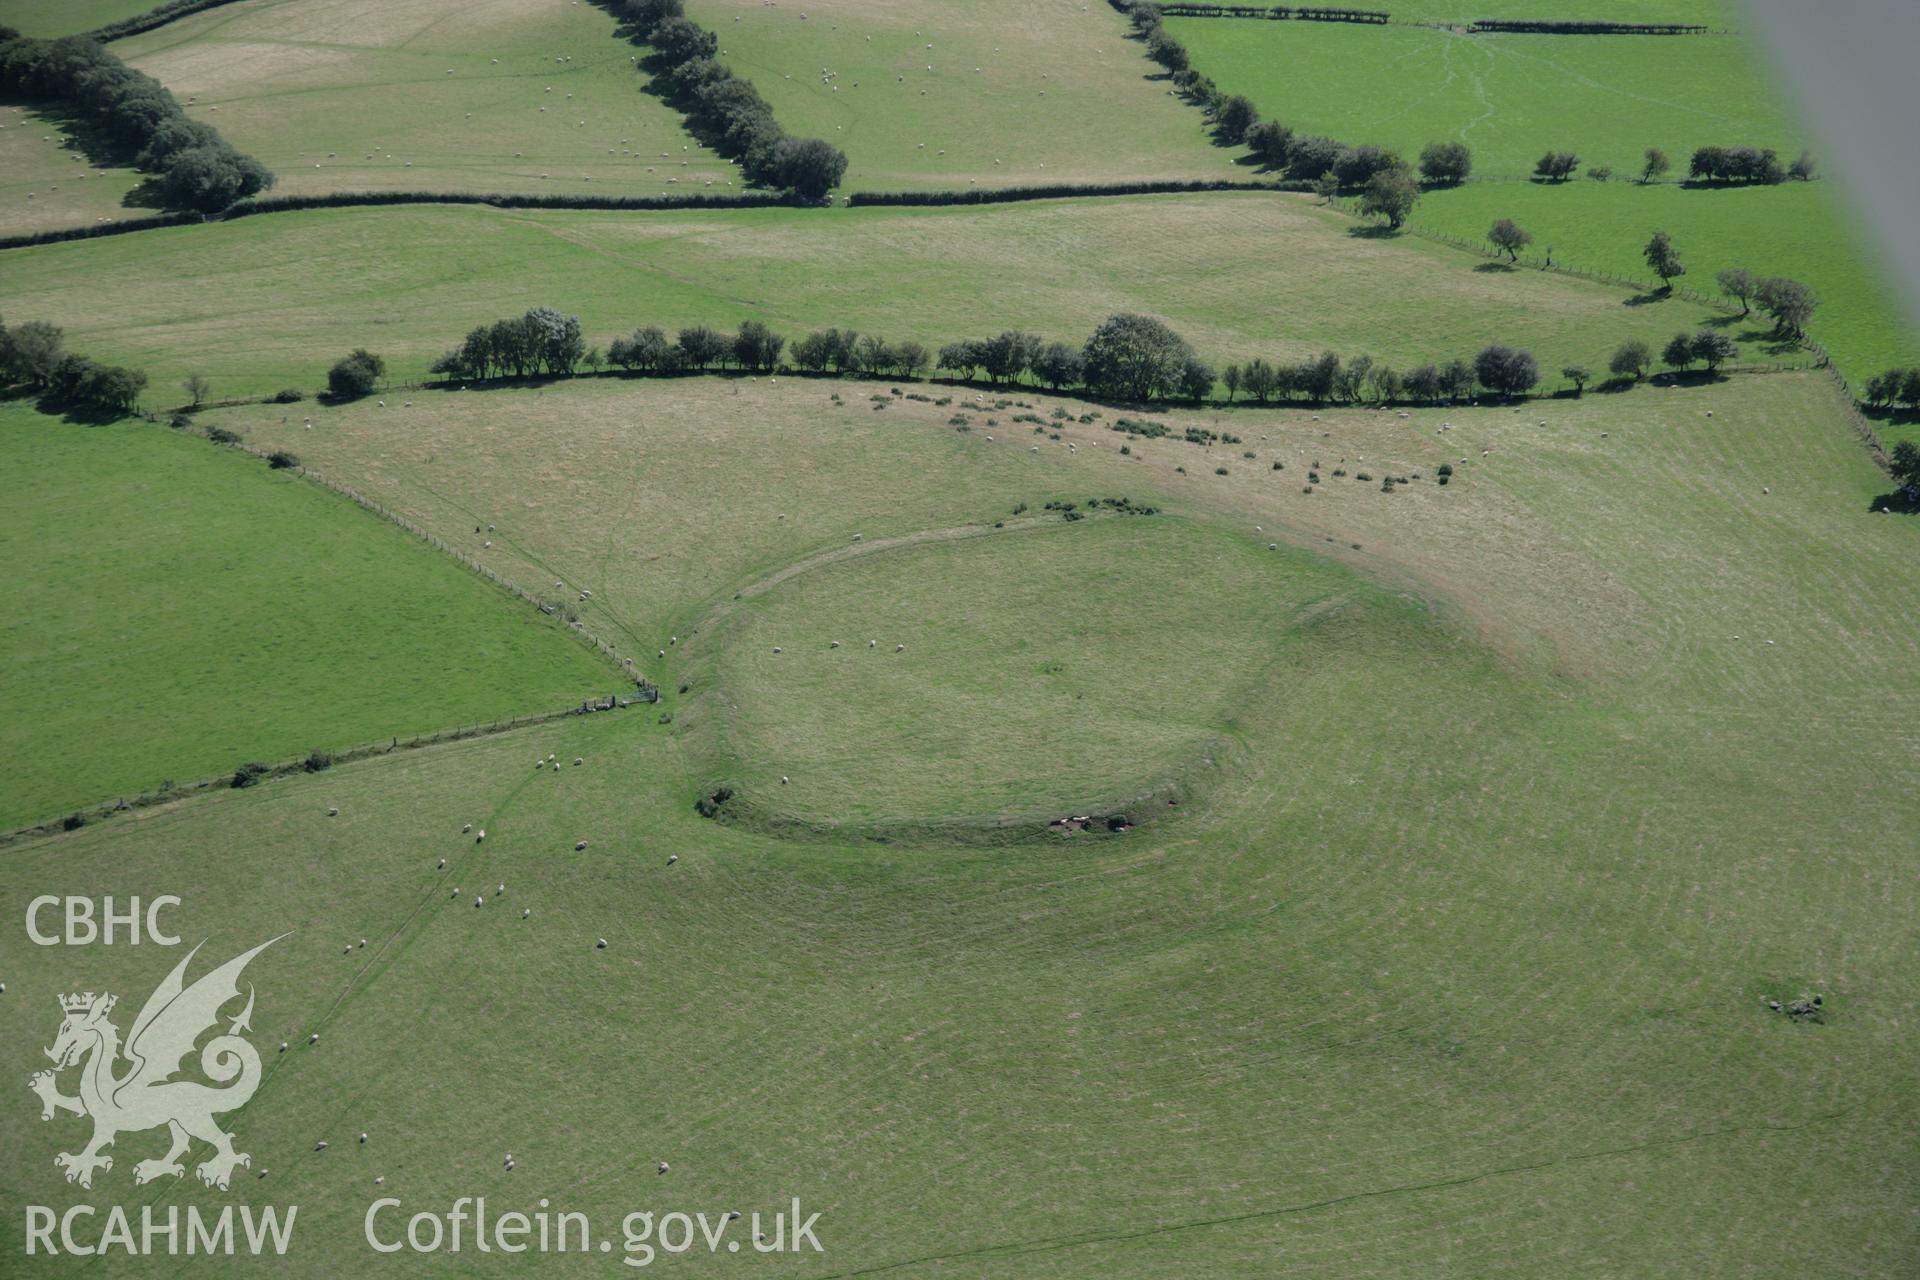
(429, 95)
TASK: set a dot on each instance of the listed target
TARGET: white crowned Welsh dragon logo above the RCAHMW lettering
(147, 1097)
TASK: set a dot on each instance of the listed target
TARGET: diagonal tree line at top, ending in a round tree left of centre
(727, 107)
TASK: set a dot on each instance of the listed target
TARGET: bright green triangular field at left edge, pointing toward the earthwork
(199, 611)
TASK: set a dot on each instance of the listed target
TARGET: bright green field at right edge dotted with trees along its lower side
(1800, 231)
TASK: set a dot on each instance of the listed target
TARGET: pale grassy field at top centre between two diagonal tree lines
(990, 93)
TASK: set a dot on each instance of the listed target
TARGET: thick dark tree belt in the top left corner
(191, 164)
